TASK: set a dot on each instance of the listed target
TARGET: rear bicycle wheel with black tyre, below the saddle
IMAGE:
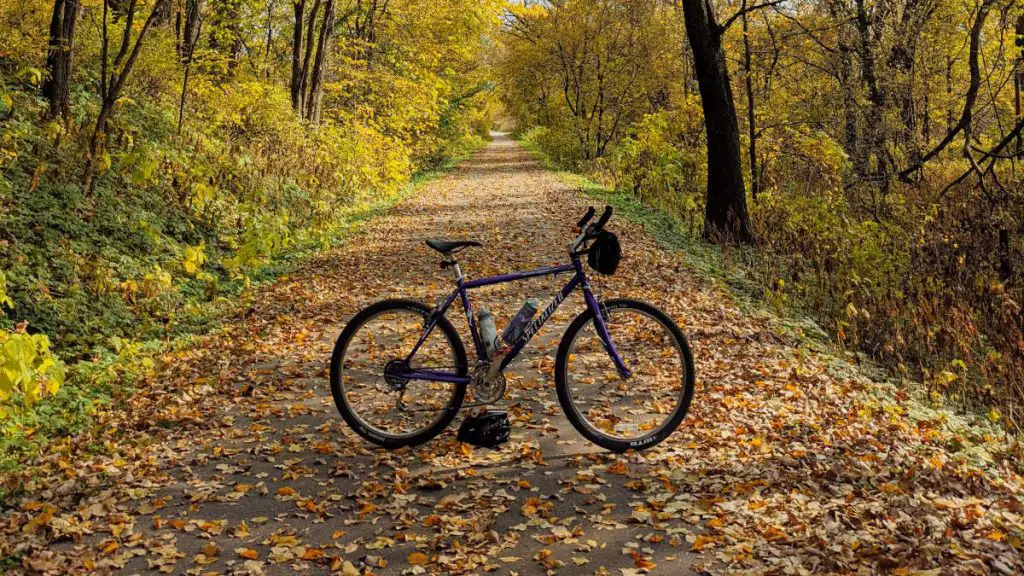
(391, 413)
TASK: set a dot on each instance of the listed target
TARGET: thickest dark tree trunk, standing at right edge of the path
(727, 218)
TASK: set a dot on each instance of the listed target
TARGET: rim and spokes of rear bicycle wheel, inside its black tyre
(389, 338)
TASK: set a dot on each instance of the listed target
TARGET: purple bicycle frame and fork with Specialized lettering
(461, 293)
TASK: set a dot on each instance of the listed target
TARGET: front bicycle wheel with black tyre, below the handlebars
(618, 414)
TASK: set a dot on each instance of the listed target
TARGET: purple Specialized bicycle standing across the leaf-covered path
(402, 360)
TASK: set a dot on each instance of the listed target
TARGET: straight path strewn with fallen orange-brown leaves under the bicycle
(789, 463)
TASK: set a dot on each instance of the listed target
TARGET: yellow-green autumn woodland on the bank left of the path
(159, 156)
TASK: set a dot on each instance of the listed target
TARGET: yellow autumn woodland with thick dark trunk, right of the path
(868, 153)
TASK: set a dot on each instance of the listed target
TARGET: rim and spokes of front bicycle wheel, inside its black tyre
(627, 410)
